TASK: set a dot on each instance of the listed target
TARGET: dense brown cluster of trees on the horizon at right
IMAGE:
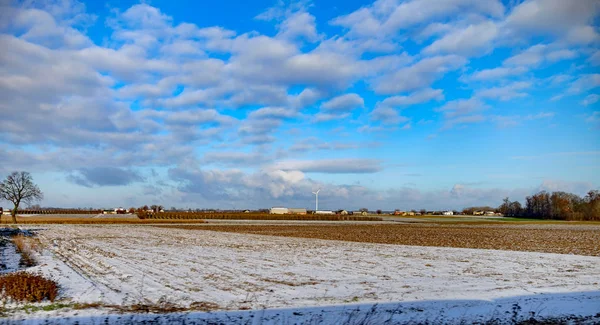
(555, 205)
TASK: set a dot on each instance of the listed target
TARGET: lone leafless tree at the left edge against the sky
(19, 187)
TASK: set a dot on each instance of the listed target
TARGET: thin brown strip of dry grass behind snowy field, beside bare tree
(87, 221)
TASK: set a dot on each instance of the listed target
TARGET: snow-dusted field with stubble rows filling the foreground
(129, 265)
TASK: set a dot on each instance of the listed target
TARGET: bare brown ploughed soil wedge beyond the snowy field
(578, 240)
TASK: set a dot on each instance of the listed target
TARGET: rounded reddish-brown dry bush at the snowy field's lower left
(27, 287)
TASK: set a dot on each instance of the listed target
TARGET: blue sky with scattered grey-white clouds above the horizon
(229, 104)
